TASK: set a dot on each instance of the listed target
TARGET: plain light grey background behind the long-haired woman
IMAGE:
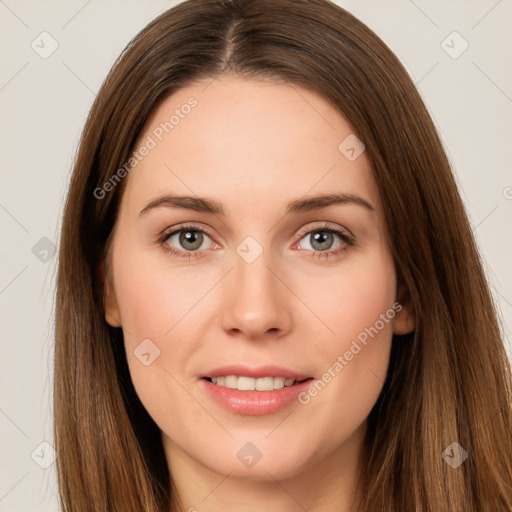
(43, 106)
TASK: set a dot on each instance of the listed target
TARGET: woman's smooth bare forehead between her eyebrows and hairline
(248, 143)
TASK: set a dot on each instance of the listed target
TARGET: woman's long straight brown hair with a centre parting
(448, 381)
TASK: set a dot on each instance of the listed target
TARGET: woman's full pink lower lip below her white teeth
(255, 403)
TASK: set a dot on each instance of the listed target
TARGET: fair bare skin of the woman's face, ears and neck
(254, 146)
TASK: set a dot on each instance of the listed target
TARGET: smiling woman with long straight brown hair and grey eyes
(269, 293)
